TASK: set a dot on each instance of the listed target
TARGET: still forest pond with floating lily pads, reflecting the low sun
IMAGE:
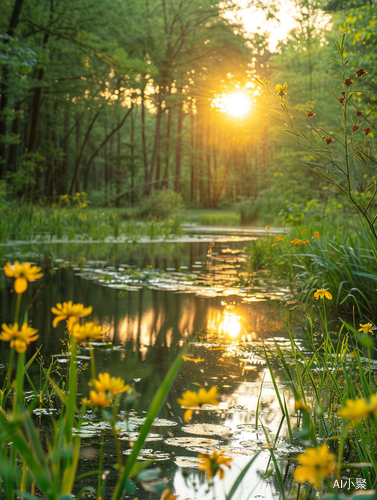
(152, 298)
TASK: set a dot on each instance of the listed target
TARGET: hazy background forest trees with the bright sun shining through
(125, 99)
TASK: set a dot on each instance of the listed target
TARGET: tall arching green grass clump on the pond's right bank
(342, 261)
